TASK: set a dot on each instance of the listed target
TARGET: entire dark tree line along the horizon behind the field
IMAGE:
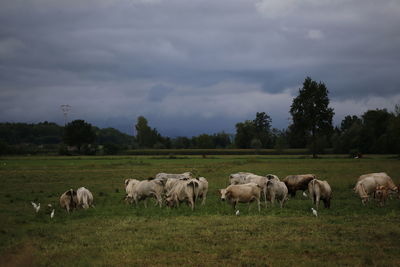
(376, 131)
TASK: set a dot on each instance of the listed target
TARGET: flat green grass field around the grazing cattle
(114, 233)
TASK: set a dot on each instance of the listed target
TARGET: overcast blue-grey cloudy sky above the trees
(193, 66)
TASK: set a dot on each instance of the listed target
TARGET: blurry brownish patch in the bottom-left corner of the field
(20, 255)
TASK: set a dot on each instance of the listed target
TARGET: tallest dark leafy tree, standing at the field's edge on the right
(311, 114)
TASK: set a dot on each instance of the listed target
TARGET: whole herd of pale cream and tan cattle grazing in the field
(245, 187)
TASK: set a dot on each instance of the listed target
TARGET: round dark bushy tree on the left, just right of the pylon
(77, 133)
